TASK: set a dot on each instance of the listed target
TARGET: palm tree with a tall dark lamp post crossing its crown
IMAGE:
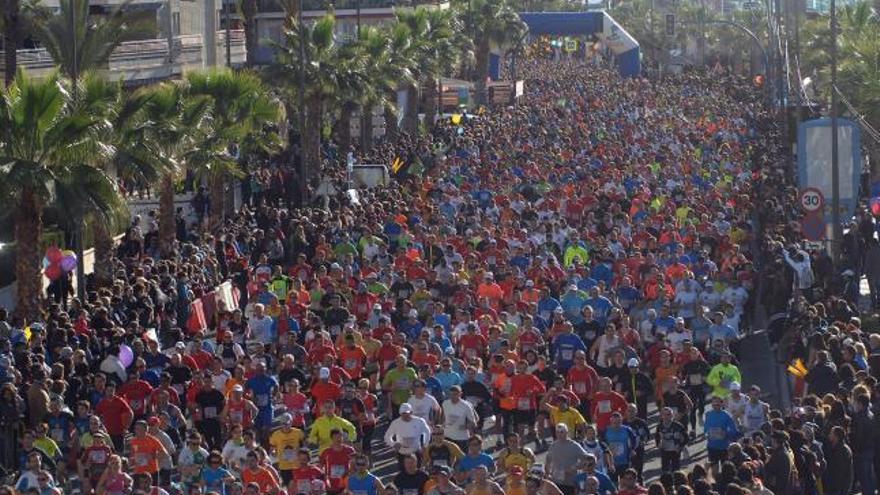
(322, 70)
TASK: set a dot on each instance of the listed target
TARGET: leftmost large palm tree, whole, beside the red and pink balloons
(46, 143)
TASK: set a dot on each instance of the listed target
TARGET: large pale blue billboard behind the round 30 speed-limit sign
(814, 162)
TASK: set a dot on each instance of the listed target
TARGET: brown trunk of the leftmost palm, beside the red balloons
(28, 230)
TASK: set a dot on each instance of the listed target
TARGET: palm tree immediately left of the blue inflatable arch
(491, 22)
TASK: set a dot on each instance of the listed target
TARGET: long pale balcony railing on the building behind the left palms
(142, 61)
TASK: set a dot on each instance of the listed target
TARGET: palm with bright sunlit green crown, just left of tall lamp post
(241, 109)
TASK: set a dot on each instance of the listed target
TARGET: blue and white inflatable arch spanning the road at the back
(624, 47)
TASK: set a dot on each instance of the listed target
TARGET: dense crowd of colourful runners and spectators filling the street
(555, 302)
